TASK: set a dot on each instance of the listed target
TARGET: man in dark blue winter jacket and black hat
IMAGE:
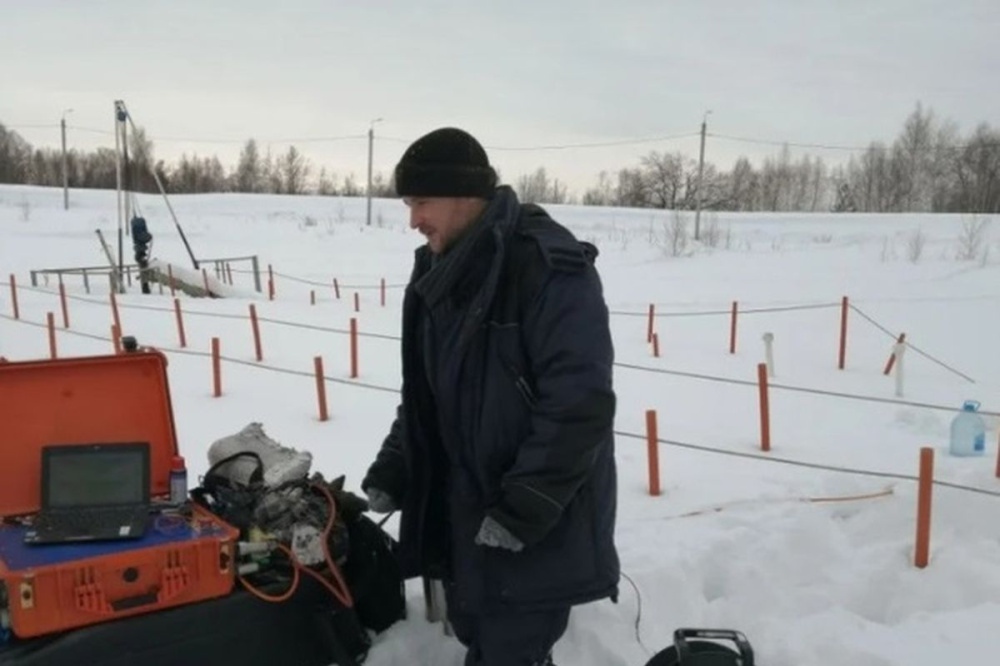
(501, 457)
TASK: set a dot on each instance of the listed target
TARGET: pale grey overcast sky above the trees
(516, 74)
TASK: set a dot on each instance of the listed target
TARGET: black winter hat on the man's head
(448, 162)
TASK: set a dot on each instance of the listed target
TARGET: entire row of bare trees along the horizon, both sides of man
(929, 167)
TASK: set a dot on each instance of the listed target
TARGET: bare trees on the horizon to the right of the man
(929, 167)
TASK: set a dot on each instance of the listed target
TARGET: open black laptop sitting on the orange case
(92, 492)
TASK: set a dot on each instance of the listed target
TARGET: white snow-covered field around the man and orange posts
(732, 541)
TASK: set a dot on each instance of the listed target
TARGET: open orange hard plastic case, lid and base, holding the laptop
(102, 399)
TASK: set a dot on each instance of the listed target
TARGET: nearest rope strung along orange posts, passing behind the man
(621, 433)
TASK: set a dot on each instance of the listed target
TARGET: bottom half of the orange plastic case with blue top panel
(54, 588)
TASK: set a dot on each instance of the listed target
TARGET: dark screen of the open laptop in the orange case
(95, 475)
